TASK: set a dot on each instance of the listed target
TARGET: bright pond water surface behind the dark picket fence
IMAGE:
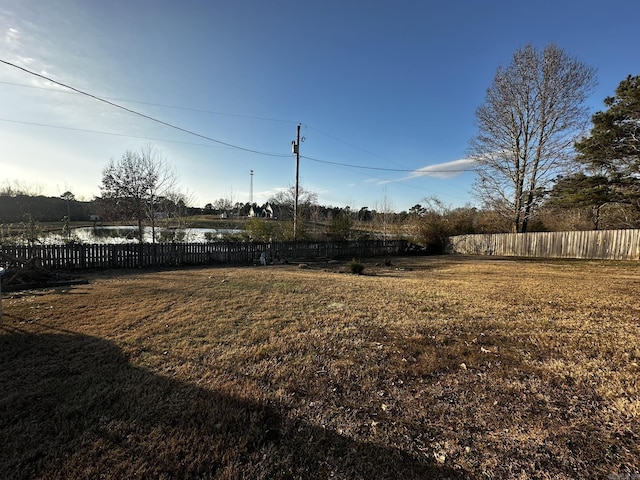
(128, 234)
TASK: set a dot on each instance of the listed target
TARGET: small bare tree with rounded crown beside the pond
(137, 183)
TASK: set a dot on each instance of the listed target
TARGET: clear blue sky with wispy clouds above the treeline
(391, 86)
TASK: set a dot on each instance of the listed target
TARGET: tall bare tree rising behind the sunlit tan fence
(532, 114)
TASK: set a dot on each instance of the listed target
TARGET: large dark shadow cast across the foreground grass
(72, 406)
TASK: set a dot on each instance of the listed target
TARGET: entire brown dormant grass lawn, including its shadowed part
(432, 367)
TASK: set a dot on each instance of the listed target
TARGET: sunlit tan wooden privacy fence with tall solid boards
(599, 244)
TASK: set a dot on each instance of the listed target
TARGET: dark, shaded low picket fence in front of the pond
(81, 256)
